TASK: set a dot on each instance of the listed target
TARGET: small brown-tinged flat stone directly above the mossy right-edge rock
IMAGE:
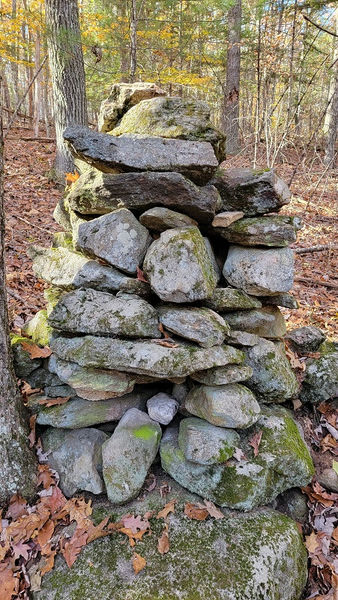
(264, 322)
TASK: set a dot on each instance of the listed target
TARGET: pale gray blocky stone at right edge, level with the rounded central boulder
(260, 272)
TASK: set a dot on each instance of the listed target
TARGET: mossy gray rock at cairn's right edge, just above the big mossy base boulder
(273, 379)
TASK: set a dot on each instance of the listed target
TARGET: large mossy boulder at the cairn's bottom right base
(283, 461)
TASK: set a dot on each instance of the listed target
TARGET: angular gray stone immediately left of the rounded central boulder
(117, 237)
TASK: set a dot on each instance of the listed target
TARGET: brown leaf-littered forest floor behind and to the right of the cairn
(30, 198)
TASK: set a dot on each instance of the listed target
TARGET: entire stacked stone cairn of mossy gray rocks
(163, 313)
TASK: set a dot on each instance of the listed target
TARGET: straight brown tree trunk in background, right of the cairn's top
(230, 117)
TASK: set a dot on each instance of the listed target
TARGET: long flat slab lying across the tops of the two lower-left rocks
(77, 413)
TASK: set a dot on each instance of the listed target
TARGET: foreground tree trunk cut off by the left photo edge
(18, 465)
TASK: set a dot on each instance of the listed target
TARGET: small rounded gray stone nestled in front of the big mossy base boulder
(206, 444)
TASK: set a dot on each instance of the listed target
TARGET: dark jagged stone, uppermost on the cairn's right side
(252, 192)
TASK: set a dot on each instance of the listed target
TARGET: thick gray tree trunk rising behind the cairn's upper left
(67, 73)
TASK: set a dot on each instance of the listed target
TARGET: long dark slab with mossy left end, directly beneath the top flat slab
(100, 193)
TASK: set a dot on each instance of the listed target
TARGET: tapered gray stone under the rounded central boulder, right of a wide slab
(200, 325)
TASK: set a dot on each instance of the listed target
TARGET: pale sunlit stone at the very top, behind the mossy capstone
(122, 97)
